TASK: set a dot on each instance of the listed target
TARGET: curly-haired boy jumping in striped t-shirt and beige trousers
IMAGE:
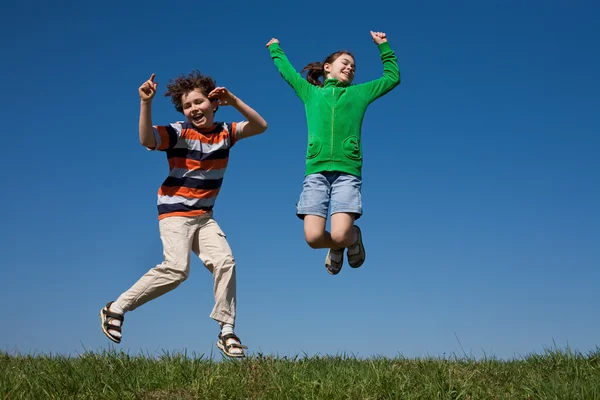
(198, 151)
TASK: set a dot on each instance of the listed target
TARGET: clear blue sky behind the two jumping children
(481, 178)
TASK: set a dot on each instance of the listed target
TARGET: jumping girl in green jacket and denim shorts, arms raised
(335, 110)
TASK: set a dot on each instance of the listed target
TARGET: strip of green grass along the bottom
(555, 374)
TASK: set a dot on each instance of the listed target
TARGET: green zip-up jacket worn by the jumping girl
(335, 112)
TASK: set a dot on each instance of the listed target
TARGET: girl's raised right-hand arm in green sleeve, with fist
(391, 73)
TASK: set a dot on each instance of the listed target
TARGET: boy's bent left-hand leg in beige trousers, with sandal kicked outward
(176, 234)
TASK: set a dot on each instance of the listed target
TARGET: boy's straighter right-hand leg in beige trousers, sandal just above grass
(210, 244)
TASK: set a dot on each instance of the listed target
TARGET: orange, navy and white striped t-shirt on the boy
(197, 163)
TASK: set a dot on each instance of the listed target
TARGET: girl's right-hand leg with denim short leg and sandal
(346, 207)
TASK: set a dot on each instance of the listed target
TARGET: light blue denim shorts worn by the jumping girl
(330, 191)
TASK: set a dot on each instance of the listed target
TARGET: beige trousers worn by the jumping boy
(179, 235)
